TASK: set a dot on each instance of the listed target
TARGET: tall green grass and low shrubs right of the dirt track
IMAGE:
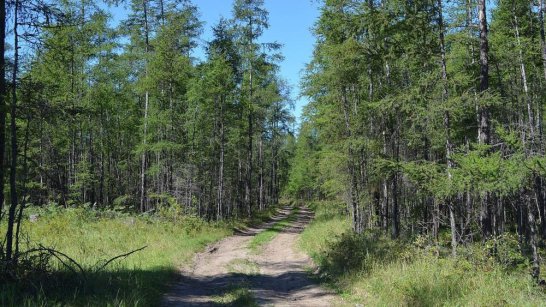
(375, 271)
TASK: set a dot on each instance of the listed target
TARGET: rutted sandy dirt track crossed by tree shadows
(277, 276)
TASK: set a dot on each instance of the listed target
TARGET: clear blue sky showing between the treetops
(290, 23)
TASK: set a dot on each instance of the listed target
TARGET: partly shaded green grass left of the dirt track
(91, 237)
